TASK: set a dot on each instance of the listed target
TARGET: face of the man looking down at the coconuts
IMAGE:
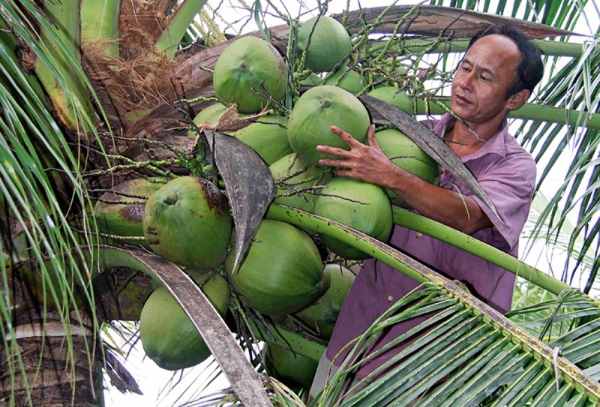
(483, 78)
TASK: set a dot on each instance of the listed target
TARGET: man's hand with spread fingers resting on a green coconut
(363, 162)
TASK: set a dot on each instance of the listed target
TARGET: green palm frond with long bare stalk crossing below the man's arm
(483, 352)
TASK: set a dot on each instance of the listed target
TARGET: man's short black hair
(530, 69)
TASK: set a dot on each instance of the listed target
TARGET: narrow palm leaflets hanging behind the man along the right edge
(578, 193)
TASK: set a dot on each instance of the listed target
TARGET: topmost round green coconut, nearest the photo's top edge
(329, 43)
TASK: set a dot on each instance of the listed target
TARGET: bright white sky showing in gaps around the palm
(156, 383)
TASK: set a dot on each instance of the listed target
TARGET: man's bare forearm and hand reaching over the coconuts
(368, 163)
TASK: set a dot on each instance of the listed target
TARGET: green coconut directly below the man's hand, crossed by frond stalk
(360, 205)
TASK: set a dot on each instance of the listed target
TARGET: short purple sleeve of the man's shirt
(509, 185)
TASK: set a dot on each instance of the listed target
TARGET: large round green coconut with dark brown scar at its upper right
(188, 222)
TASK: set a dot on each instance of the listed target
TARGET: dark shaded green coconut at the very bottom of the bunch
(290, 368)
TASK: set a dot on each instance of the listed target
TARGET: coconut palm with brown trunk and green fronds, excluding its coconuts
(96, 93)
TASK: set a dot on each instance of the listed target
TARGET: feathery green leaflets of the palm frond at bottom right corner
(478, 356)
